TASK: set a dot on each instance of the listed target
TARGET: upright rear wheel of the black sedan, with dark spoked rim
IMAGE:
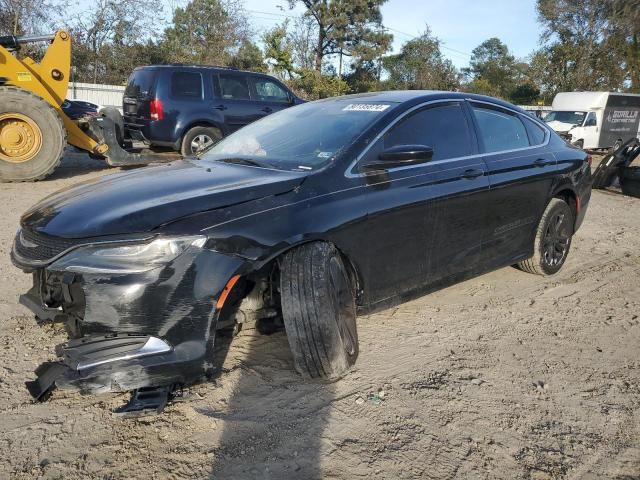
(553, 240)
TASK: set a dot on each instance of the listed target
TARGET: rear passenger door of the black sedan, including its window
(521, 171)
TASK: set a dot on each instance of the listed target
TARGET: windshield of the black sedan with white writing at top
(304, 137)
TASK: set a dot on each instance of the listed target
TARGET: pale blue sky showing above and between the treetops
(460, 24)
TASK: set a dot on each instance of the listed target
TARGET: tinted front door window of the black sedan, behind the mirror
(443, 128)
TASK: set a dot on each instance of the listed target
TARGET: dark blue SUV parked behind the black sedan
(189, 107)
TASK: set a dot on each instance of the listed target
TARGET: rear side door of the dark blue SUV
(233, 99)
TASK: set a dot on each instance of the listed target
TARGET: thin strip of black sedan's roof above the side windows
(419, 96)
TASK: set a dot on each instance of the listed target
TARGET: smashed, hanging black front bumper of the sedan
(131, 331)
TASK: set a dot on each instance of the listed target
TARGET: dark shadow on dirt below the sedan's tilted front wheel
(277, 434)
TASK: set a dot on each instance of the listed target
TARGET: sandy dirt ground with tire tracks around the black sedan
(507, 375)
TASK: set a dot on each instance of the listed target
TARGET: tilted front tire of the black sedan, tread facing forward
(319, 311)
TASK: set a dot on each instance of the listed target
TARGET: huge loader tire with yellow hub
(32, 136)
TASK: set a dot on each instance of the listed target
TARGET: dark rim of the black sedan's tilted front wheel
(344, 304)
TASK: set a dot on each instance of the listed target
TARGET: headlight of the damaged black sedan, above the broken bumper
(132, 258)
